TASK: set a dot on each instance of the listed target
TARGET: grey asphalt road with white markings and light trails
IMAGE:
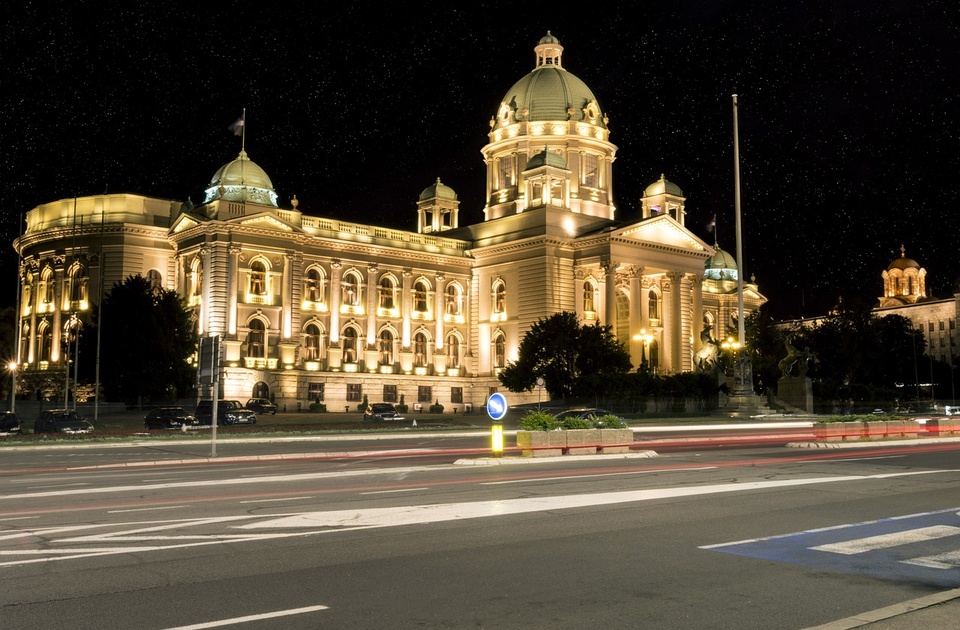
(739, 538)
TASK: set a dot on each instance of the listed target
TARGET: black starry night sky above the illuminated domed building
(849, 120)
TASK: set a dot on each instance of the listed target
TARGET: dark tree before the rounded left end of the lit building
(146, 342)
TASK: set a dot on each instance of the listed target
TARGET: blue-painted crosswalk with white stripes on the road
(917, 547)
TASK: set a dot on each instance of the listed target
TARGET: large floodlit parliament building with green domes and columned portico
(314, 308)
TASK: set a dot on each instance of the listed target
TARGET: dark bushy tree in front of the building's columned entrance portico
(573, 360)
